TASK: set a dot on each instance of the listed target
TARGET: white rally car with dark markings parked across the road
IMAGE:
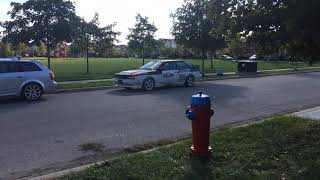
(158, 73)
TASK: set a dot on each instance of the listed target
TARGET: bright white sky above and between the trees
(122, 12)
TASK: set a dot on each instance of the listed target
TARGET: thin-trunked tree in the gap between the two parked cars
(88, 35)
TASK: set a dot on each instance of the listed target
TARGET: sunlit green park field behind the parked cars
(69, 69)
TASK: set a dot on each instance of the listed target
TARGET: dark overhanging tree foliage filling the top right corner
(270, 25)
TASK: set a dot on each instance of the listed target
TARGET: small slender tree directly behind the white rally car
(142, 36)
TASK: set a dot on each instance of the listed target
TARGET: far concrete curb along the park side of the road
(204, 80)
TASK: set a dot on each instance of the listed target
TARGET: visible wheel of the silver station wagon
(32, 92)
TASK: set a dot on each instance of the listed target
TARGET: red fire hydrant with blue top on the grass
(200, 112)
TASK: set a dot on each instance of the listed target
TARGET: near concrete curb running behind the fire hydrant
(243, 123)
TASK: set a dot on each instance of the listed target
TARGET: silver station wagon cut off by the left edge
(25, 78)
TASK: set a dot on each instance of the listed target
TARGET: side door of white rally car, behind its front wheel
(169, 73)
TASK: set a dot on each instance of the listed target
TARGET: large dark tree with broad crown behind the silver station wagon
(40, 21)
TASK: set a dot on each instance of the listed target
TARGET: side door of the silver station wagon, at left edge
(11, 78)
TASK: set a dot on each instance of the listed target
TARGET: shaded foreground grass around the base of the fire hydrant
(279, 148)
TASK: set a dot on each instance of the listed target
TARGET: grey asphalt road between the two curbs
(47, 134)
